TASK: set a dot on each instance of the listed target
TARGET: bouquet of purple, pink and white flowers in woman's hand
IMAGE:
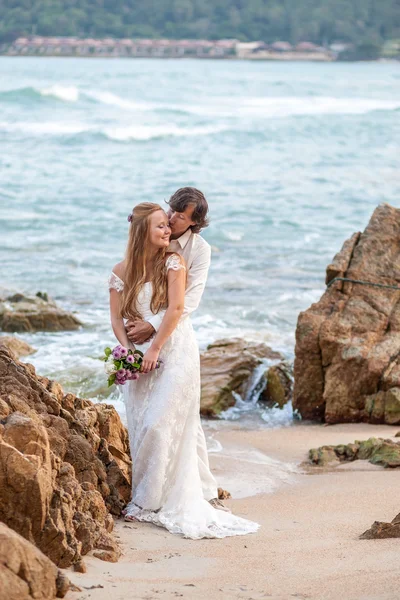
(122, 364)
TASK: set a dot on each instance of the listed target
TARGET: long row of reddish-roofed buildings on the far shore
(149, 48)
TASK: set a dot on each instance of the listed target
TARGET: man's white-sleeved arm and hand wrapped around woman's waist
(196, 282)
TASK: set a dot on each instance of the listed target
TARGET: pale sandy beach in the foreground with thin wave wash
(307, 546)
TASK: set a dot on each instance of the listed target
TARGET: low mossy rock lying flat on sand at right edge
(376, 450)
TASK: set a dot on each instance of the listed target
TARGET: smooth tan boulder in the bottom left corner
(25, 572)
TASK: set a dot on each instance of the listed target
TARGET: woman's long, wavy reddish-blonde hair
(137, 255)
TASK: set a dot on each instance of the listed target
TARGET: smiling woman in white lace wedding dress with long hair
(163, 405)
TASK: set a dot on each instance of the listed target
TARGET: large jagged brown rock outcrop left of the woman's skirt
(64, 465)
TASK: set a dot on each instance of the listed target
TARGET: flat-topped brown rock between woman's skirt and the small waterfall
(227, 367)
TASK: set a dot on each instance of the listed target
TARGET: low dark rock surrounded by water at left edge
(28, 314)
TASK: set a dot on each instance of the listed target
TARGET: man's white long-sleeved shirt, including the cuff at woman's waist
(197, 254)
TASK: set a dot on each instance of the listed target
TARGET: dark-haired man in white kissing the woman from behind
(188, 215)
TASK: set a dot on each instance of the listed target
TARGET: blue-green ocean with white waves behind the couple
(292, 157)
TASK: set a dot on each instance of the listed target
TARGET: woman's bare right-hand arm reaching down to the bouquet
(176, 304)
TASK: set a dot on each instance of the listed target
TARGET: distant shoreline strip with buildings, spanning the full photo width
(227, 49)
